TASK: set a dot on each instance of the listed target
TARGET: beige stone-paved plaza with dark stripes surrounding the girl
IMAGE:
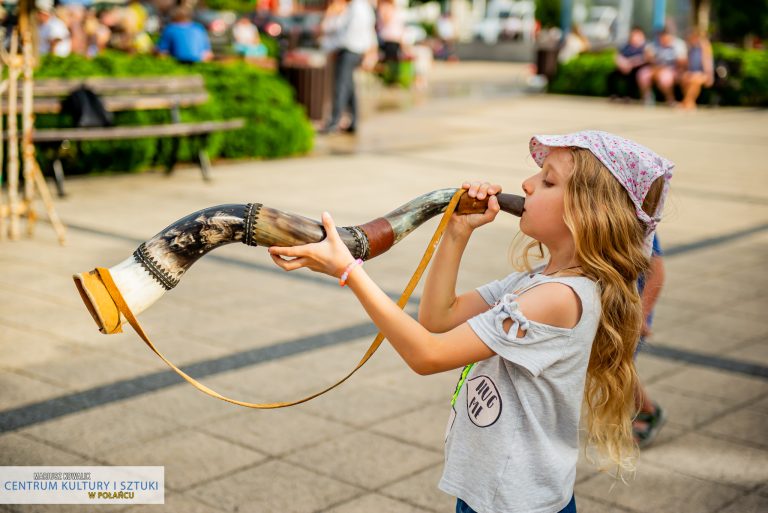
(71, 396)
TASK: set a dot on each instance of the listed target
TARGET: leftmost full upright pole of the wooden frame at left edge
(13, 137)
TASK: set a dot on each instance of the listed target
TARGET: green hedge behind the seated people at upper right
(746, 85)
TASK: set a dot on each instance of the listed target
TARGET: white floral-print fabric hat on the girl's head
(634, 166)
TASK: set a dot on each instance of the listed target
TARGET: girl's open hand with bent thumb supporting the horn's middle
(329, 256)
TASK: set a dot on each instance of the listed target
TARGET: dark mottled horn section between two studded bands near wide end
(171, 252)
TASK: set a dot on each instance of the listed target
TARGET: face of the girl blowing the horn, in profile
(544, 199)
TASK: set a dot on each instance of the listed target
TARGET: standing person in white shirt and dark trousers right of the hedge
(355, 30)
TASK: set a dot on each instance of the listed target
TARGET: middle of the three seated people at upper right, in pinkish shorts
(667, 64)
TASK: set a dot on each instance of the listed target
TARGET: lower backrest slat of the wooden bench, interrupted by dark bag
(126, 102)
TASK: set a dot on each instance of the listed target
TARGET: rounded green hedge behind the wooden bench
(276, 126)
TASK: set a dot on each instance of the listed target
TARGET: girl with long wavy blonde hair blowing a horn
(536, 343)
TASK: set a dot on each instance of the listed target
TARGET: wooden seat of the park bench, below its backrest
(135, 132)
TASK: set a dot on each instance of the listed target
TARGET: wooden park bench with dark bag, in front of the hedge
(123, 94)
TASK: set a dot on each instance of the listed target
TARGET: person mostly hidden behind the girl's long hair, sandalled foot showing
(650, 417)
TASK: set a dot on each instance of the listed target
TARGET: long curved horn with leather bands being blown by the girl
(157, 265)
